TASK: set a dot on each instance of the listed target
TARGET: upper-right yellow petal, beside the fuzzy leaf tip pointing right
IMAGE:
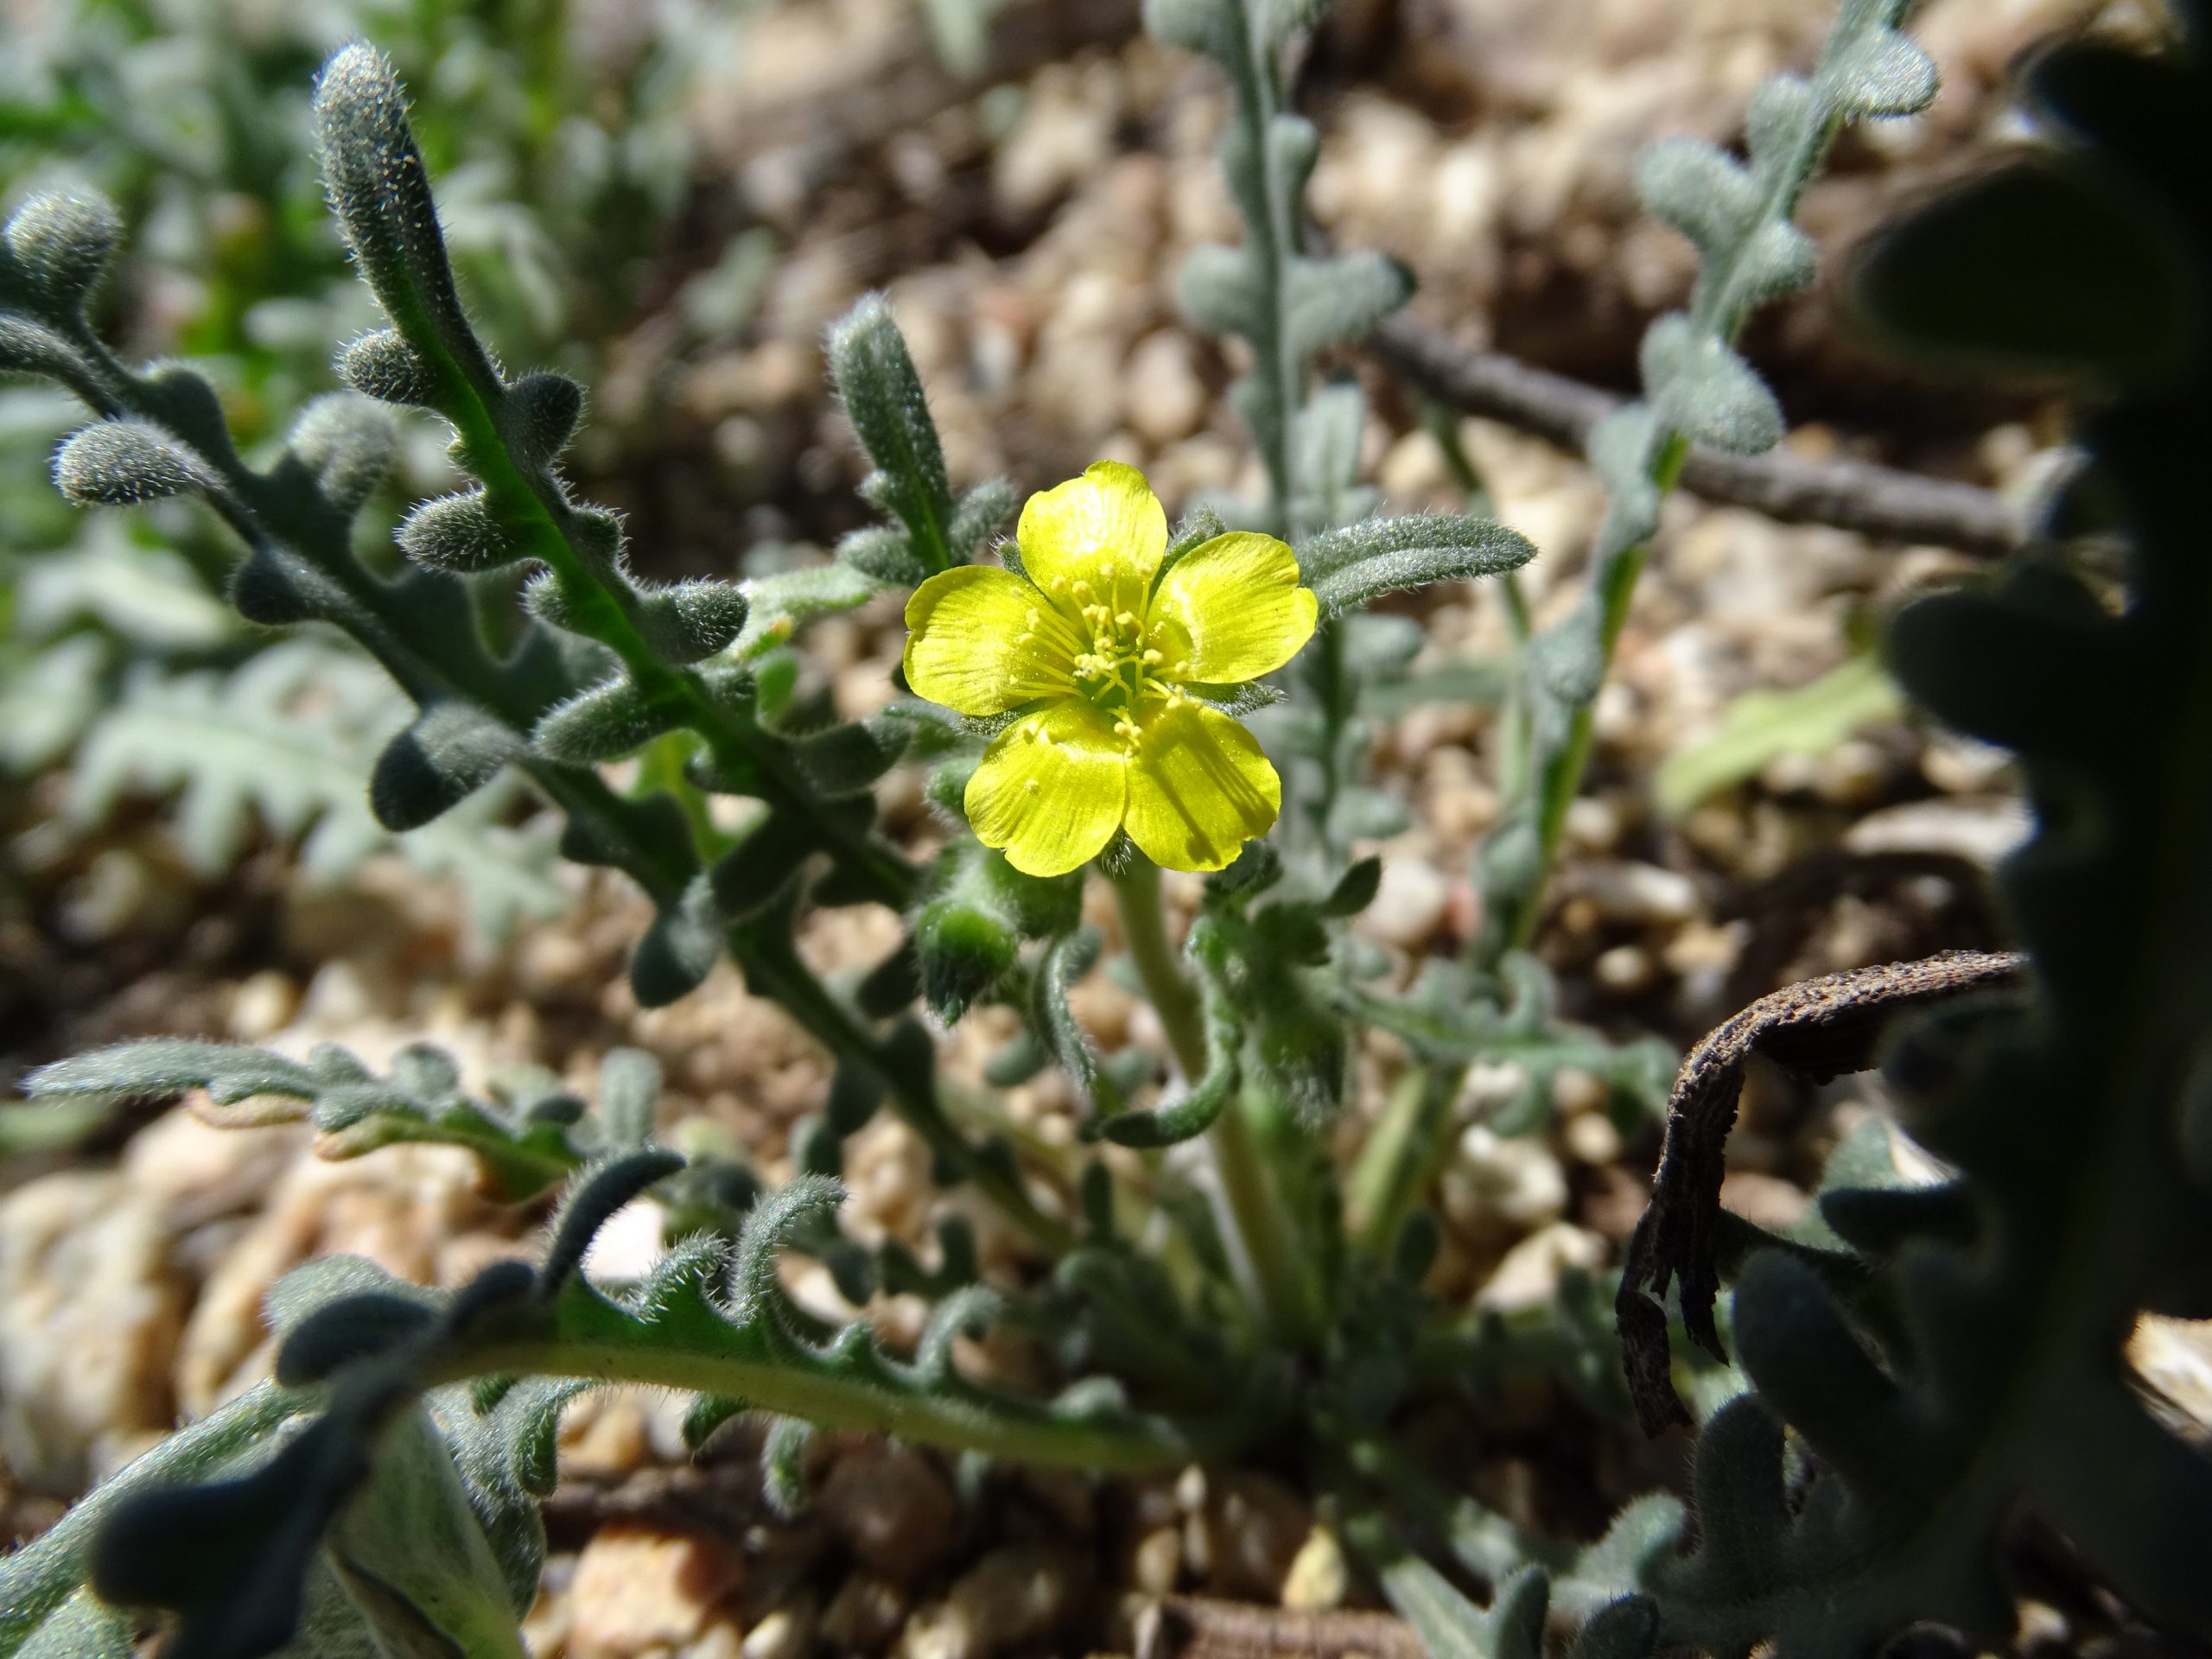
(1233, 609)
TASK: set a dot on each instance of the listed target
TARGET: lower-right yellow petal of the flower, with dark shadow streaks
(1200, 789)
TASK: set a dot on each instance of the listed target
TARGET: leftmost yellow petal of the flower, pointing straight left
(981, 640)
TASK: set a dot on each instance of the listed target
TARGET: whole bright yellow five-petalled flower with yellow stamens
(1096, 651)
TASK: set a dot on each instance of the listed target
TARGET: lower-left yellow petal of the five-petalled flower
(1050, 791)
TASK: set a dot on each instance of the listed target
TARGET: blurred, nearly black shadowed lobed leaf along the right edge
(1979, 1368)
